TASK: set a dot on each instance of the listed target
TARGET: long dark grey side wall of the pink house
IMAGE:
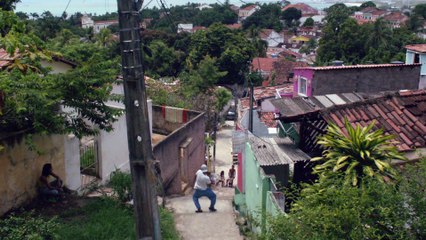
(366, 80)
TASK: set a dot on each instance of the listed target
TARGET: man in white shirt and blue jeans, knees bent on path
(202, 189)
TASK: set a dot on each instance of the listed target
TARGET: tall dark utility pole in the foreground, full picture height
(138, 133)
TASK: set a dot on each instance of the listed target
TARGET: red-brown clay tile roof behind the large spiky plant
(402, 115)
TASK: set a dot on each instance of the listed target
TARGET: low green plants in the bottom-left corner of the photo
(28, 226)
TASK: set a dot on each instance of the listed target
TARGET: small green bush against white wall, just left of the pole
(121, 184)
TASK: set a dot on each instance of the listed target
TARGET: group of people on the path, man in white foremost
(202, 186)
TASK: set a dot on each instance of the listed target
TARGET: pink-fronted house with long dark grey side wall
(311, 81)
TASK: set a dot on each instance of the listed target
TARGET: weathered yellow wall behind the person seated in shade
(20, 168)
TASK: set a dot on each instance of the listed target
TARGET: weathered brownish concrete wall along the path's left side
(188, 138)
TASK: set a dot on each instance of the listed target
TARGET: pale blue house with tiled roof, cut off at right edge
(416, 53)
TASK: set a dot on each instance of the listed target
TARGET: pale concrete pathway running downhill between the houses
(218, 225)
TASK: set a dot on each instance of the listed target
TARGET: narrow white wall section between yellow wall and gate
(72, 162)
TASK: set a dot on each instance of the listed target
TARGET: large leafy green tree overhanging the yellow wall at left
(33, 97)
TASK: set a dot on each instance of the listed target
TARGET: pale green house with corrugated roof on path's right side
(266, 166)
